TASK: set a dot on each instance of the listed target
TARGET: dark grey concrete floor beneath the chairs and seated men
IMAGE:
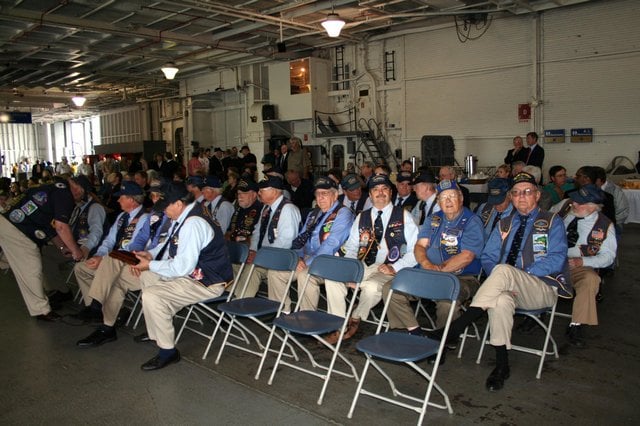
(47, 379)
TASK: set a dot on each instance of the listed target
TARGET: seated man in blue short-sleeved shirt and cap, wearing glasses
(450, 240)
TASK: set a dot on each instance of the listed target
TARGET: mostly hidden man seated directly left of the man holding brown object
(113, 278)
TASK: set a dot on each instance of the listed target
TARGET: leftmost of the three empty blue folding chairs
(255, 307)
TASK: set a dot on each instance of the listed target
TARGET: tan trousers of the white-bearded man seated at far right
(586, 283)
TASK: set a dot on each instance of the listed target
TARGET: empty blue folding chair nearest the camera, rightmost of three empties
(406, 348)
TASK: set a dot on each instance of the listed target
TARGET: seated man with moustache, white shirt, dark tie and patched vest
(382, 237)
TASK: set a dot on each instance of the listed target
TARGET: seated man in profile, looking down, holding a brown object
(193, 265)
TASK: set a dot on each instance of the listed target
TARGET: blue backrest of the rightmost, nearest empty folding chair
(427, 284)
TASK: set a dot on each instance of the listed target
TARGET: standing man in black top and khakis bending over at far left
(30, 221)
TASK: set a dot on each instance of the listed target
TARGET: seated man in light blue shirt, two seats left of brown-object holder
(120, 237)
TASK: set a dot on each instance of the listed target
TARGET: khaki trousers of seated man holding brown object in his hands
(161, 300)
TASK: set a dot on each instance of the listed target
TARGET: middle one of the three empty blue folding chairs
(317, 323)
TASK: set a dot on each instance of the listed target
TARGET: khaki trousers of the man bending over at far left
(25, 260)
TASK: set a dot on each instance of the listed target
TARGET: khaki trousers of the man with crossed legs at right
(506, 289)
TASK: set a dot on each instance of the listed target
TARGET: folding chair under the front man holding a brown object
(238, 254)
